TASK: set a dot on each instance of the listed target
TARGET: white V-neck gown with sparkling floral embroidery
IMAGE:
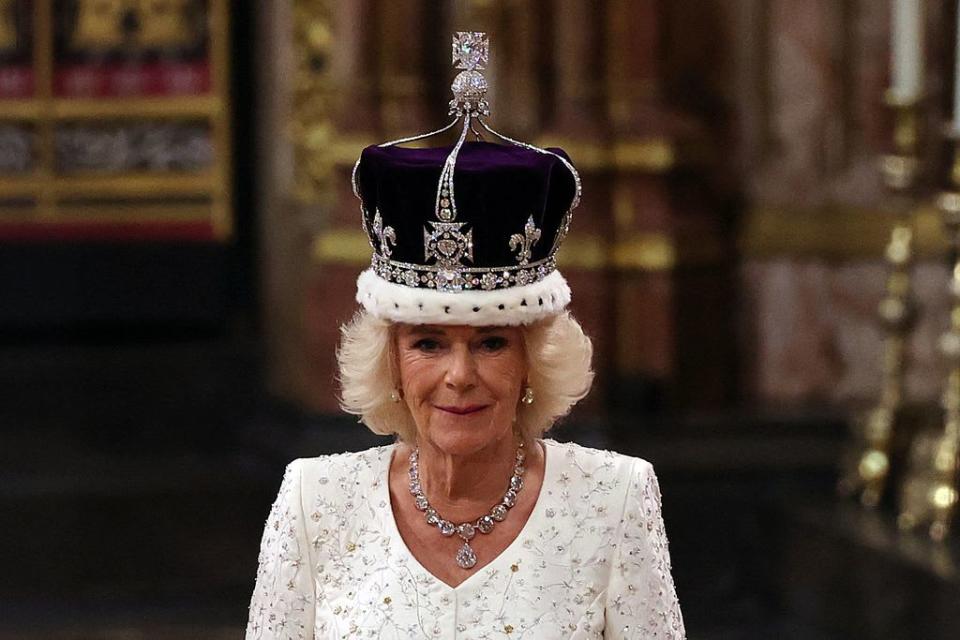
(591, 562)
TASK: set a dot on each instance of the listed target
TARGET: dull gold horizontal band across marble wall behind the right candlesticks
(838, 233)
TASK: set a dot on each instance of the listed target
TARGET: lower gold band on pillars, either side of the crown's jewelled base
(641, 252)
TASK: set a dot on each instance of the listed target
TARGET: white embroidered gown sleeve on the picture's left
(282, 606)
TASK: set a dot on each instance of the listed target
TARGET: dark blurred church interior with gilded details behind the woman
(179, 244)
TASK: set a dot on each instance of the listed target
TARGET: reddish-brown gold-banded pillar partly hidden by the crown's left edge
(369, 46)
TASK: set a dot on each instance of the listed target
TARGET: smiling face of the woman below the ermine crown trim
(462, 384)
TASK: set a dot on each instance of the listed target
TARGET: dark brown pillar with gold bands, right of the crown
(671, 286)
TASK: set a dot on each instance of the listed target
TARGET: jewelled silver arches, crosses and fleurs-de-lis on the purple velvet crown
(447, 242)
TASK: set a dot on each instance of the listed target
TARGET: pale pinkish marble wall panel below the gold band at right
(813, 333)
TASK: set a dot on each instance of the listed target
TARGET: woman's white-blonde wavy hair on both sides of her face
(558, 370)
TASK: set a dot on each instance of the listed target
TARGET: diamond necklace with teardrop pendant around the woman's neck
(466, 557)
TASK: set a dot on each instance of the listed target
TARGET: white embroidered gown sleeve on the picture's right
(641, 599)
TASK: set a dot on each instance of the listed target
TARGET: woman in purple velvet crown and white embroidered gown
(470, 525)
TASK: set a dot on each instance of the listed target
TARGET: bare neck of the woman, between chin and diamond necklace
(462, 487)
